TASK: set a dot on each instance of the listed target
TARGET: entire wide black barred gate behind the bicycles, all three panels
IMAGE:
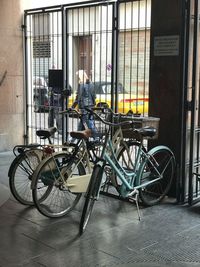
(108, 42)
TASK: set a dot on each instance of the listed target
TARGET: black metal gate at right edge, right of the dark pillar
(191, 129)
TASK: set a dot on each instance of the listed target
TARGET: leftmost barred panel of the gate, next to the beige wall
(43, 51)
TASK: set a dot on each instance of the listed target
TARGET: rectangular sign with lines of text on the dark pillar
(166, 45)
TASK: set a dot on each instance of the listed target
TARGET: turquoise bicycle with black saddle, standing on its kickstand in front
(148, 176)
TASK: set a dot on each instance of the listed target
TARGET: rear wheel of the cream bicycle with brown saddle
(50, 196)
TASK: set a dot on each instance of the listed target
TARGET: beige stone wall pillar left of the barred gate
(11, 75)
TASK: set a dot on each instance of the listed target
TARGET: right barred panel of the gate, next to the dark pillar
(133, 55)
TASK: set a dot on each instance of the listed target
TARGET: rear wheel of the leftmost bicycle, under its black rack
(20, 175)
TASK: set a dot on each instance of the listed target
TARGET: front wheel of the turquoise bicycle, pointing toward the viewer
(91, 196)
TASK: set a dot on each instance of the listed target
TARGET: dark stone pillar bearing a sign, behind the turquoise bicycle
(166, 70)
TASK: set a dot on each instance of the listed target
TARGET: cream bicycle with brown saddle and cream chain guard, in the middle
(60, 180)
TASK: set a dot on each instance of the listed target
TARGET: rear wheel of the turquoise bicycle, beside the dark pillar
(154, 193)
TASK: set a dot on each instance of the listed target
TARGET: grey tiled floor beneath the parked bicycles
(167, 235)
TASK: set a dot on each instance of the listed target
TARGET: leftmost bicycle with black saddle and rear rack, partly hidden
(27, 157)
